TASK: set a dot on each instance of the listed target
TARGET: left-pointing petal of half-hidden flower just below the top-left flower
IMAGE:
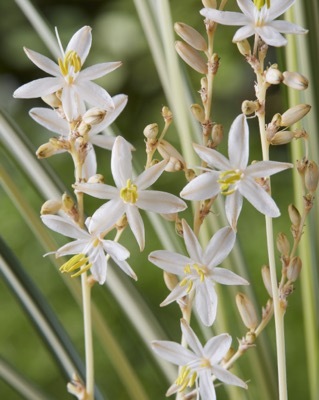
(50, 120)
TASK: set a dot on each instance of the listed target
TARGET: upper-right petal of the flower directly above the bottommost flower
(219, 246)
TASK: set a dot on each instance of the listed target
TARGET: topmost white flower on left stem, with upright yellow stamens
(68, 76)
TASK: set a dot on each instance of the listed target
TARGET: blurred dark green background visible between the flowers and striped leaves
(118, 35)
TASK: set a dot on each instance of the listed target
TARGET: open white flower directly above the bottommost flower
(199, 271)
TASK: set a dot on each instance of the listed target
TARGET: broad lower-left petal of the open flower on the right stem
(202, 187)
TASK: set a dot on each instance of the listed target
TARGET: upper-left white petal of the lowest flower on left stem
(64, 226)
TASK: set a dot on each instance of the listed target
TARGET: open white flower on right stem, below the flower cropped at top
(235, 179)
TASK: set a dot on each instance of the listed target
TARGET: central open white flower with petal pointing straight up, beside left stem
(130, 194)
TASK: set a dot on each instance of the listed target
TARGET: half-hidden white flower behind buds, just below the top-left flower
(53, 121)
